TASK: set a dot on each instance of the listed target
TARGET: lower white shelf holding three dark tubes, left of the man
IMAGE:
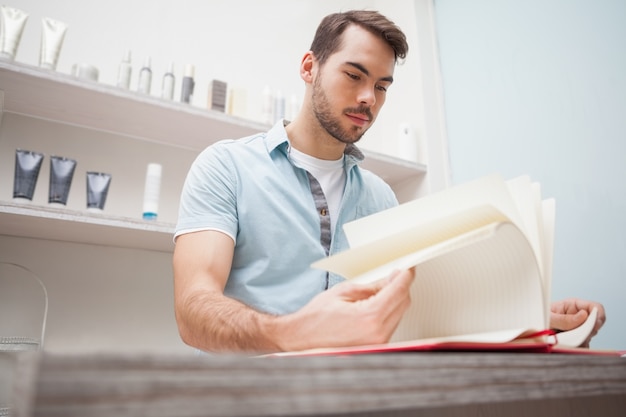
(50, 223)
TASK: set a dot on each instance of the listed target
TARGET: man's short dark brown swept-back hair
(328, 36)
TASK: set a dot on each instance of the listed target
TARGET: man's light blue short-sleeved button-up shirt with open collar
(250, 190)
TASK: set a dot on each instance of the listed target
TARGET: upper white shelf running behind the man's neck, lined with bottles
(50, 95)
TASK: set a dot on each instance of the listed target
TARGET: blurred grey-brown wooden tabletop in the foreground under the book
(405, 384)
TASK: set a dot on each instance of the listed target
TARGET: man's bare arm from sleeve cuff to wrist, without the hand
(206, 318)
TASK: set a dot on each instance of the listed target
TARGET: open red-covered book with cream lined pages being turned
(482, 253)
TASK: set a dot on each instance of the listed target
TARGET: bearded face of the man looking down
(350, 88)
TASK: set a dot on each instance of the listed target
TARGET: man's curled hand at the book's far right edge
(572, 312)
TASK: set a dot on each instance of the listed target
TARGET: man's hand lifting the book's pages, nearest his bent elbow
(349, 314)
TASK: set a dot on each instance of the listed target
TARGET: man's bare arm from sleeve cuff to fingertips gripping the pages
(346, 315)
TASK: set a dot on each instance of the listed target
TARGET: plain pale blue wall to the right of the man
(539, 87)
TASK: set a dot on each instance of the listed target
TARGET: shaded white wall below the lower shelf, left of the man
(101, 298)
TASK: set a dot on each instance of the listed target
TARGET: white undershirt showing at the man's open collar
(330, 175)
